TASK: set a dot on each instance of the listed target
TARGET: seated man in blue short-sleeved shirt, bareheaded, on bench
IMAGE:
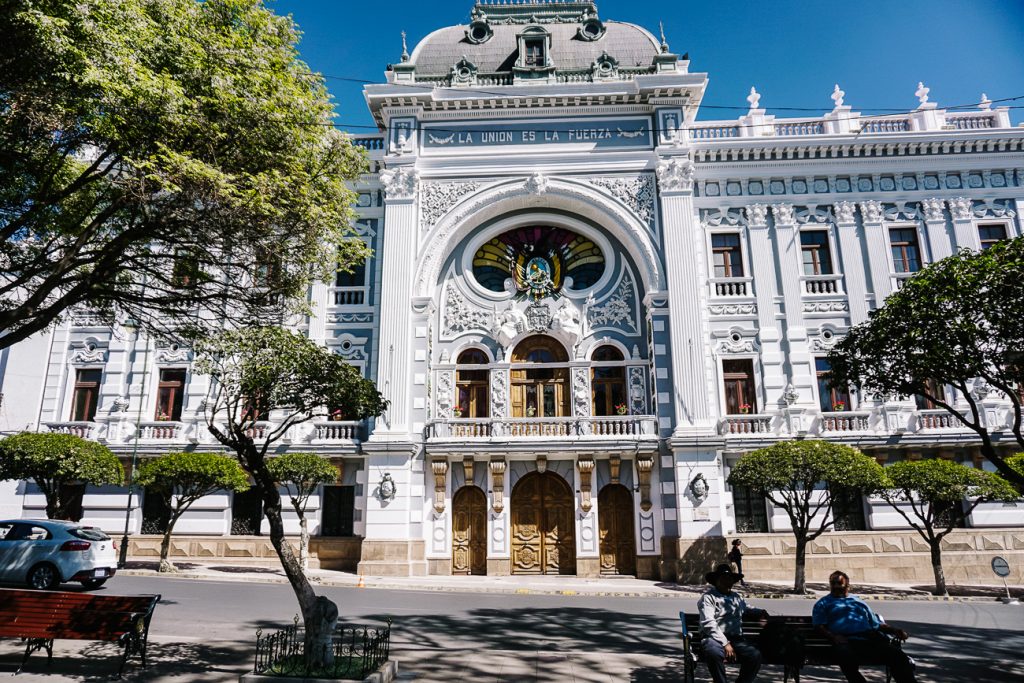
(858, 634)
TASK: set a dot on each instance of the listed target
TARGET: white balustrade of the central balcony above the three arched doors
(613, 428)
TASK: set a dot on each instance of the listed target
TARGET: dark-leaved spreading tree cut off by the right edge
(956, 323)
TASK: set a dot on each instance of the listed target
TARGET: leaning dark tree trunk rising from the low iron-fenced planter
(320, 616)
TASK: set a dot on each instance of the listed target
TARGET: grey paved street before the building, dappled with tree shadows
(204, 631)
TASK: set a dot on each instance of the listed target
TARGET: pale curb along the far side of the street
(682, 594)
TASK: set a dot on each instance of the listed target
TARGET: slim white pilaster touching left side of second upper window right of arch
(788, 244)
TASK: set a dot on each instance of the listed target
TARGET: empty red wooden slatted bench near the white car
(39, 618)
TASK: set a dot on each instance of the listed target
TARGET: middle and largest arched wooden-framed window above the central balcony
(541, 392)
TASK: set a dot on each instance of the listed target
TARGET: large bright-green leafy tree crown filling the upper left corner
(161, 158)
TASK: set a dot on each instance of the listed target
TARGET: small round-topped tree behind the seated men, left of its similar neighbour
(801, 478)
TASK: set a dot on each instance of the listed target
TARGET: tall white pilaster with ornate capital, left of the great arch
(394, 380)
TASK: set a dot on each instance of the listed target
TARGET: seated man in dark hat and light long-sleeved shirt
(721, 614)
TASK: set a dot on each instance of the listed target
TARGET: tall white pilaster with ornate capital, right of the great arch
(685, 249)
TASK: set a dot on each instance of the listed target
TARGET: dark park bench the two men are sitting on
(772, 639)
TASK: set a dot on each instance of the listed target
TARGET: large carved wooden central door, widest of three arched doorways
(543, 526)
